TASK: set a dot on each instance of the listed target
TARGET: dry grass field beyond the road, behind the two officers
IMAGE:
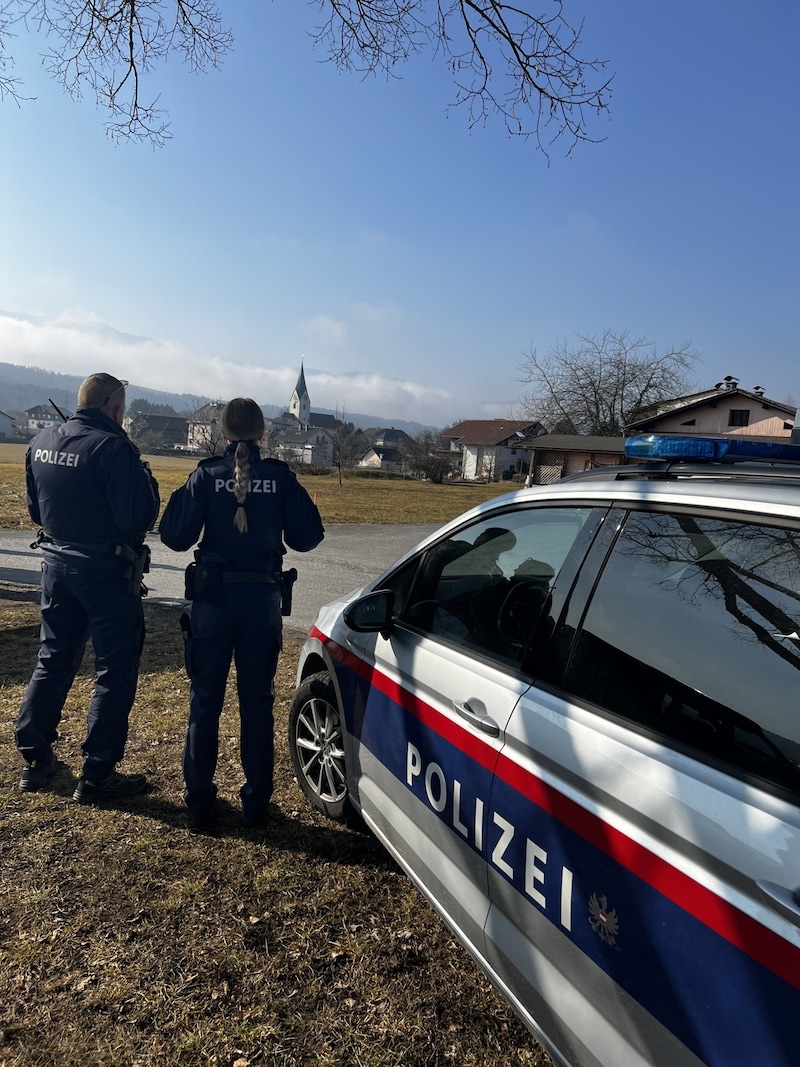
(356, 501)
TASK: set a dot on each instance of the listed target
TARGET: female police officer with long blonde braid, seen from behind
(246, 507)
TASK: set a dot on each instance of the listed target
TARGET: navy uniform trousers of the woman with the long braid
(247, 628)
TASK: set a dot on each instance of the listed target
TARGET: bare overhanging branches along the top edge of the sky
(527, 70)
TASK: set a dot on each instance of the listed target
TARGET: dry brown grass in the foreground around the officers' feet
(127, 941)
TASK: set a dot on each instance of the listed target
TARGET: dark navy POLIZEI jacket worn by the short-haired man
(87, 485)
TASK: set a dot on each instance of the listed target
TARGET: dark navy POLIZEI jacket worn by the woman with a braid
(278, 507)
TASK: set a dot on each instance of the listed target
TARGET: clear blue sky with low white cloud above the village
(360, 225)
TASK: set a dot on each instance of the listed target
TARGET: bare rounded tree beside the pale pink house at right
(602, 384)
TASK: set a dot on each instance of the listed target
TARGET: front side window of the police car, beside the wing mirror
(487, 587)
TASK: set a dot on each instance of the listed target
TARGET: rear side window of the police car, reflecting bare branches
(694, 632)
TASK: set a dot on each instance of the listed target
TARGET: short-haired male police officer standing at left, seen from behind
(95, 501)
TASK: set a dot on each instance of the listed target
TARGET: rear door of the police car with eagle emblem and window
(646, 906)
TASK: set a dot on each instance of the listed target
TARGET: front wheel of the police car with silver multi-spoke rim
(316, 743)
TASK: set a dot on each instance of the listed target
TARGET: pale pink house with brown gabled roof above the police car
(725, 410)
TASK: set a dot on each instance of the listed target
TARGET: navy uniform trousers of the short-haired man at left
(83, 598)
